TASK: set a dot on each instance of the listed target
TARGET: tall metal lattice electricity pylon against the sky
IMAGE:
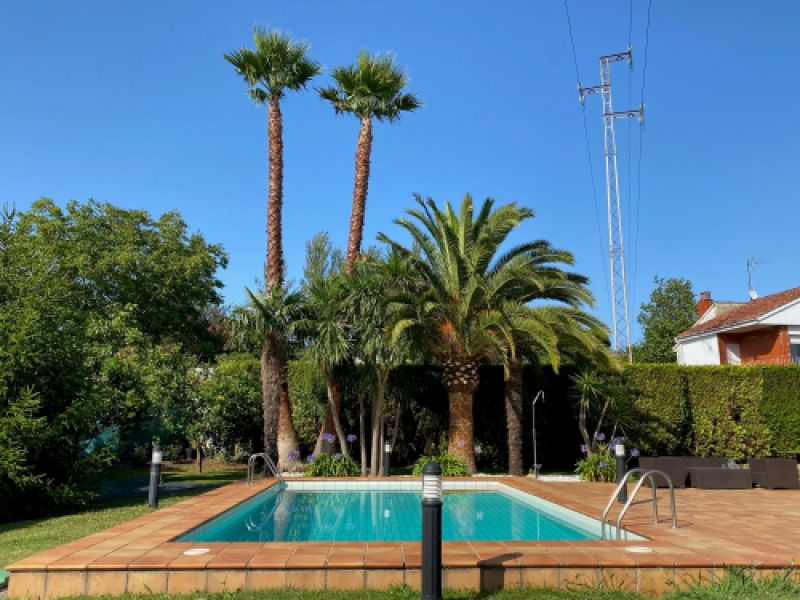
(621, 327)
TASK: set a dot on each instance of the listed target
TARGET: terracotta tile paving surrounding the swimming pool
(757, 528)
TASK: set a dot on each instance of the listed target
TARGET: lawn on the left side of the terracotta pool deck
(19, 539)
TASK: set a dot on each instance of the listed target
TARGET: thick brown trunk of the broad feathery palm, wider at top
(460, 377)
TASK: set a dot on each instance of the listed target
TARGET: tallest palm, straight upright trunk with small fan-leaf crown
(276, 65)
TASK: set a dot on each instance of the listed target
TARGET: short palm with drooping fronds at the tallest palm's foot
(268, 317)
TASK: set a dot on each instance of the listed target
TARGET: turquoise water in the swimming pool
(281, 514)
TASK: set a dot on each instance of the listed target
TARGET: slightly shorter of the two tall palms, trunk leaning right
(371, 88)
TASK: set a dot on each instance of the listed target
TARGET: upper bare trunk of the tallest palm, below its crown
(274, 265)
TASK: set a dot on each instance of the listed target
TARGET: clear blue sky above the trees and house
(130, 102)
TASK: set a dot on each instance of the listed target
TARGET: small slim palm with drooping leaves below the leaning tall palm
(326, 332)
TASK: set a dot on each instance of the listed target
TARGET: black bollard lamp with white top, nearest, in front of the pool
(432, 531)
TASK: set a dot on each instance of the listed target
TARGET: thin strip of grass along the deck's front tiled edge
(736, 585)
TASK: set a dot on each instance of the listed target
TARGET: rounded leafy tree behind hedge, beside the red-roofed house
(671, 309)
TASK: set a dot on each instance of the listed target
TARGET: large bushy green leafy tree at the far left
(87, 292)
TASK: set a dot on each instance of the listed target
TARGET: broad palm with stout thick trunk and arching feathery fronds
(461, 312)
